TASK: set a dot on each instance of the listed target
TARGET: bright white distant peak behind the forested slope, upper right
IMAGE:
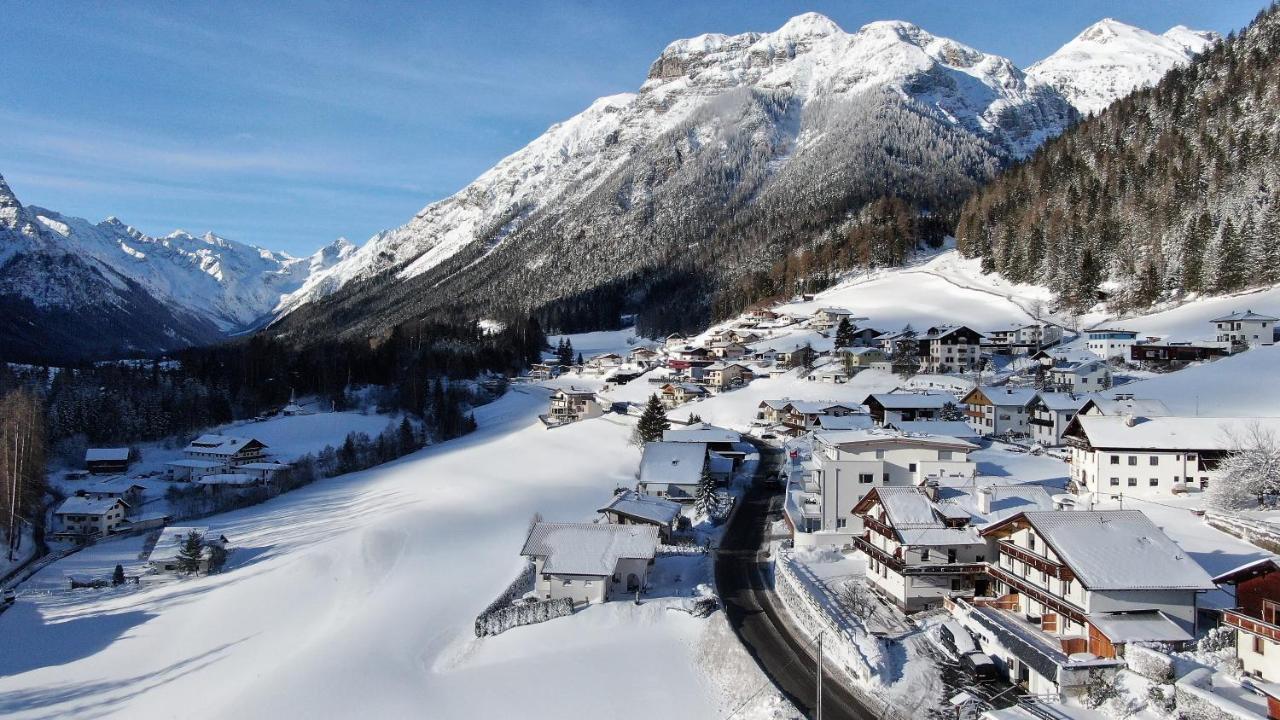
(1112, 60)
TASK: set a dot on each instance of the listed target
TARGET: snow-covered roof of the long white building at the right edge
(1168, 432)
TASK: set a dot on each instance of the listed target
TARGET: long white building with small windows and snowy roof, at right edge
(1151, 457)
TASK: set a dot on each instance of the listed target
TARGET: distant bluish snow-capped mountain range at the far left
(145, 294)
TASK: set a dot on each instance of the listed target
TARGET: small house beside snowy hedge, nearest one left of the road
(591, 563)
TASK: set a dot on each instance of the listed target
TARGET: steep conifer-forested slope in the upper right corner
(1171, 192)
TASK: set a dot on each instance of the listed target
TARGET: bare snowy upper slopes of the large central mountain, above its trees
(812, 76)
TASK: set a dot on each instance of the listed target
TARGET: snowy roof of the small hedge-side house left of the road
(589, 549)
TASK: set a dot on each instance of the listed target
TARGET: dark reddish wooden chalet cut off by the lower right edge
(1256, 618)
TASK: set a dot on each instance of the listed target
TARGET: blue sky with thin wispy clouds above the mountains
(292, 125)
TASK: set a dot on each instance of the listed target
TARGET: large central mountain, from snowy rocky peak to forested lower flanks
(735, 152)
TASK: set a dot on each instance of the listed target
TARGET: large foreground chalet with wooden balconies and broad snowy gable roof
(1059, 586)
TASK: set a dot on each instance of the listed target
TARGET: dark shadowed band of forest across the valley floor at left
(415, 367)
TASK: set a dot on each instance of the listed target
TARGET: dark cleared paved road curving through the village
(761, 622)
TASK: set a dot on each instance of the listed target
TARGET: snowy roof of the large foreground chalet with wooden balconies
(1117, 550)
